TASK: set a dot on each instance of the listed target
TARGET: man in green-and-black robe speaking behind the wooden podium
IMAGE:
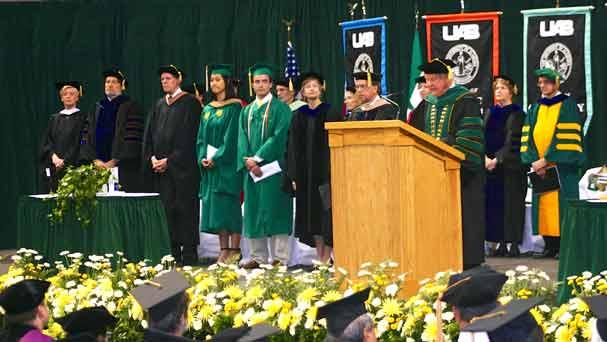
(452, 115)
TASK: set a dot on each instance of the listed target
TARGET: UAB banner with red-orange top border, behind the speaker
(471, 41)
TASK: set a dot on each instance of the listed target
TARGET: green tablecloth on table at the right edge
(583, 242)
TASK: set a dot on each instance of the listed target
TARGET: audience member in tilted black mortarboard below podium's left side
(347, 319)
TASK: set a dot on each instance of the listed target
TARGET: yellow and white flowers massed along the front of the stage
(224, 295)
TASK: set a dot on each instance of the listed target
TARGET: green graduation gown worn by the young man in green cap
(268, 210)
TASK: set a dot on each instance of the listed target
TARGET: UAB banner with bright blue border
(364, 44)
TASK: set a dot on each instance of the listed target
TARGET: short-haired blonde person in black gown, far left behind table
(61, 143)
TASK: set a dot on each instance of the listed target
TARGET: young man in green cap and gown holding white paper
(262, 139)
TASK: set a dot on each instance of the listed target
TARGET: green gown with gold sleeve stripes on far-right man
(565, 150)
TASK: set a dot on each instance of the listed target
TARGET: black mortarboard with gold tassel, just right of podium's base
(475, 287)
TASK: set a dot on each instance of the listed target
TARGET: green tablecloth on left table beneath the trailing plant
(134, 225)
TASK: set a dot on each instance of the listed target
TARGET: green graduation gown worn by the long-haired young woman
(220, 185)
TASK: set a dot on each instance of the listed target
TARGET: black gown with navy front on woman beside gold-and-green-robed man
(507, 184)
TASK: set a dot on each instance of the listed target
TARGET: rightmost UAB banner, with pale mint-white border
(559, 38)
